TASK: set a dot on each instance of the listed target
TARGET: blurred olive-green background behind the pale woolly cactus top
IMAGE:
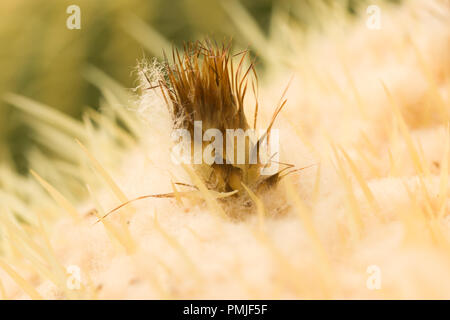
(41, 59)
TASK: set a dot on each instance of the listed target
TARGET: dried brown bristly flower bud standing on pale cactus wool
(203, 84)
